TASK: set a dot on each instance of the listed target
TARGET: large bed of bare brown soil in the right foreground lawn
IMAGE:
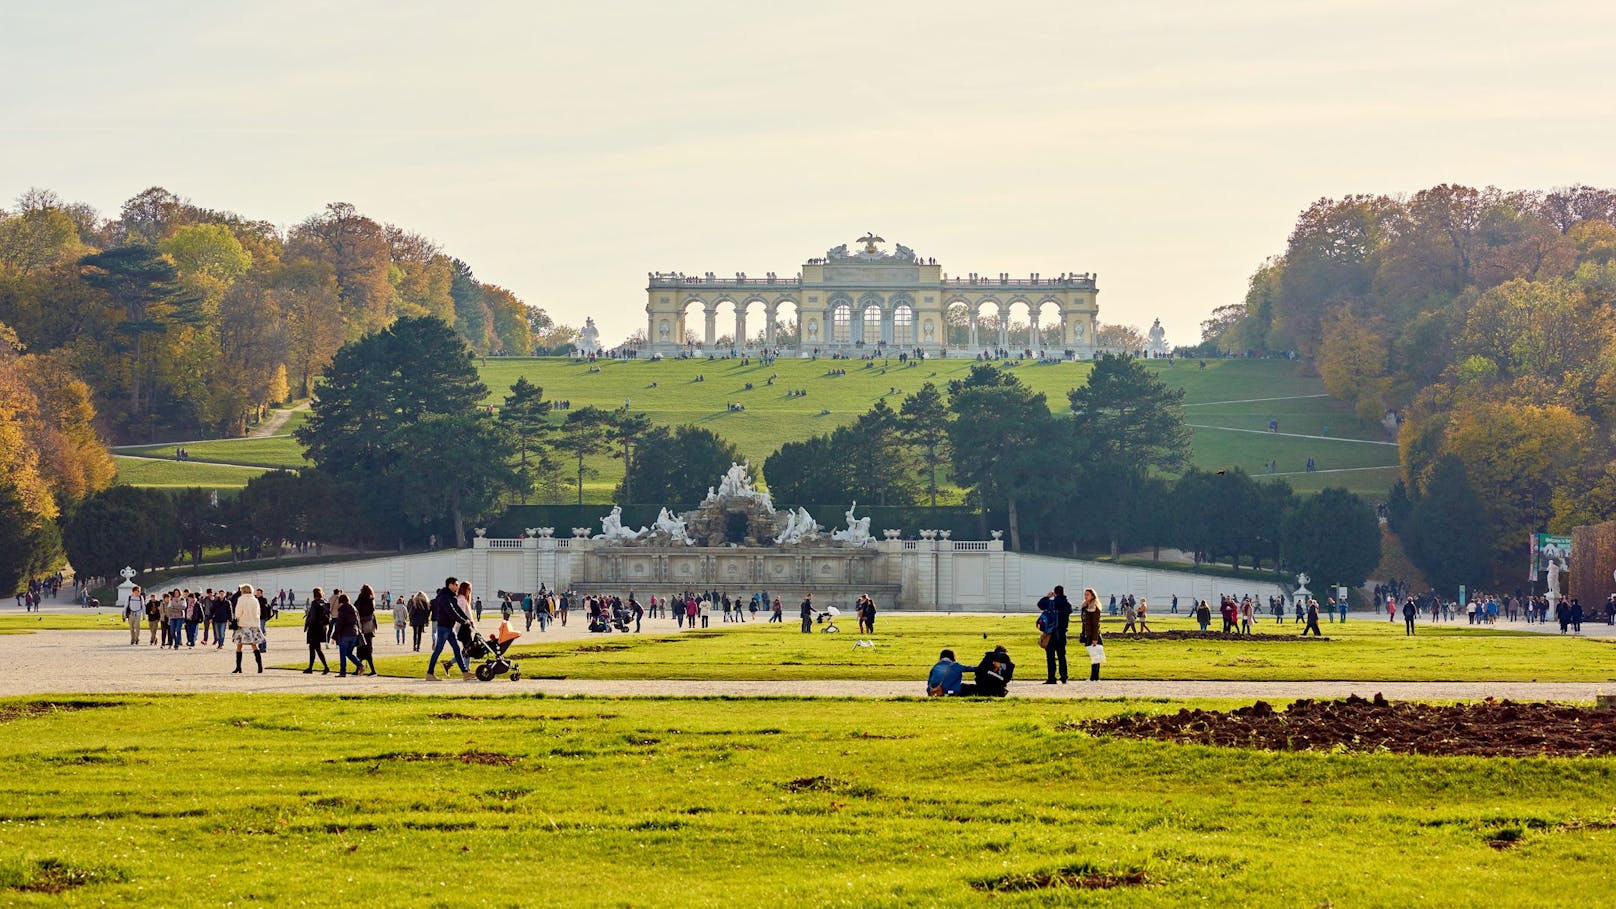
(1489, 729)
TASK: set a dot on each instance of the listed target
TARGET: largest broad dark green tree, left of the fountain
(384, 387)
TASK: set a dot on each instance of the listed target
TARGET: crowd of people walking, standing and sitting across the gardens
(183, 620)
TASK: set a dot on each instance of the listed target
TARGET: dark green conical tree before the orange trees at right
(1449, 530)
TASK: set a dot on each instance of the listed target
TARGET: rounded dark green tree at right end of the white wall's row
(1334, 538)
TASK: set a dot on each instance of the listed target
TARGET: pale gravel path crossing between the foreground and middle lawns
(104, 662)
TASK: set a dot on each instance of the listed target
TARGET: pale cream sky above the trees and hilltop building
(566, 150)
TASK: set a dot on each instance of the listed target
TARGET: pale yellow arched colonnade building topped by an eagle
(870, 300)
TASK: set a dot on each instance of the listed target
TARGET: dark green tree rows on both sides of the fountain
(405, 449)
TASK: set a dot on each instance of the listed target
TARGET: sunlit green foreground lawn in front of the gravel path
(466, 801)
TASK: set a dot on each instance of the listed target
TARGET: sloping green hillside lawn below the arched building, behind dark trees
(1229, 404)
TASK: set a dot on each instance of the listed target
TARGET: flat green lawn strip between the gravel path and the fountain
(1360, 651)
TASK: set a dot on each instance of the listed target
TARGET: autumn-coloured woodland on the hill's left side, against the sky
(187, 321)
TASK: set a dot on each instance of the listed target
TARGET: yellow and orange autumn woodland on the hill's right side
(1481, 326)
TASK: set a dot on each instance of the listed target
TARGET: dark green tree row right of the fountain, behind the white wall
(1109, 471)
